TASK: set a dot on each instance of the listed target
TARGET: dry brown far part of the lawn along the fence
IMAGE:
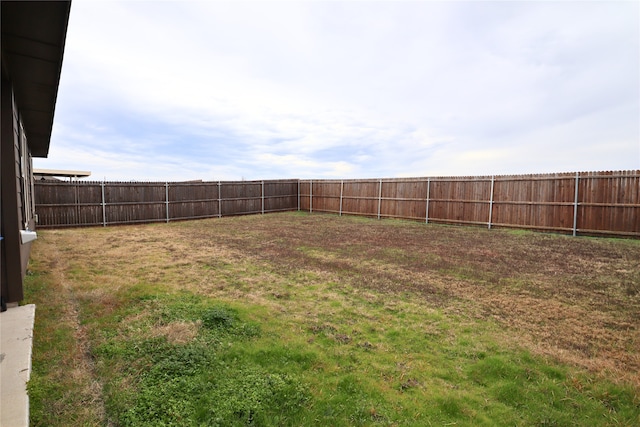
(574, 299)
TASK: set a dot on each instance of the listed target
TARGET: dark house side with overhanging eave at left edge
(33, 39)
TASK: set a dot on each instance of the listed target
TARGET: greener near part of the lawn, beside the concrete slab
(300, 347)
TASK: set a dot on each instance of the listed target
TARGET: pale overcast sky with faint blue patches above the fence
(156, 90)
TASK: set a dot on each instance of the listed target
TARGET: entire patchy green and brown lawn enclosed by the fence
(298, 319)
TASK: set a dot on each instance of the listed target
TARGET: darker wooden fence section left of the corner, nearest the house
(80, 203)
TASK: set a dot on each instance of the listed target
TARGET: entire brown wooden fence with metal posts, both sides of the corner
(590, 203)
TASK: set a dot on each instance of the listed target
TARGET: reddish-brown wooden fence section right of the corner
(590, 203)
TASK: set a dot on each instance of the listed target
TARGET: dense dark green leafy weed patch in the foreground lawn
(204, 383)
